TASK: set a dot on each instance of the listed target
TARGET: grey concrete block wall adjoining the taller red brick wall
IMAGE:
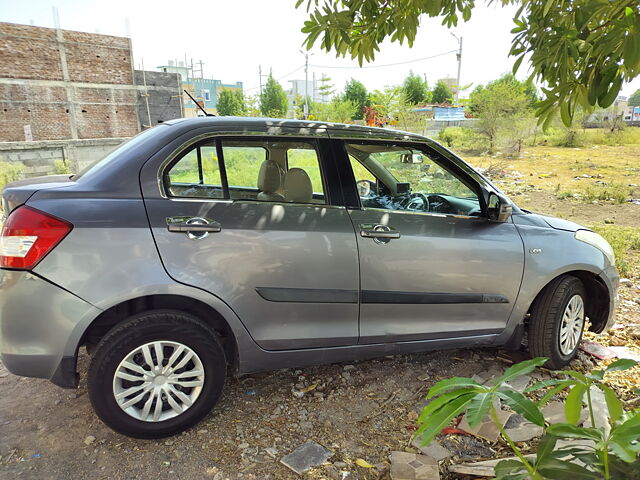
(161, 99)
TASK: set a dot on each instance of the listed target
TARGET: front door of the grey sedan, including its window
(432, 265)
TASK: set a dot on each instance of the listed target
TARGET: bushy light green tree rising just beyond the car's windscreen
(502, 108)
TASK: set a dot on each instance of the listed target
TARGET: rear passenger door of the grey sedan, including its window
(287, 266)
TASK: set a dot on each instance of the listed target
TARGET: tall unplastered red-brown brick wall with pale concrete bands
(62, 84)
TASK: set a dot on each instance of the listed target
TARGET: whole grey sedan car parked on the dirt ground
(213, 246)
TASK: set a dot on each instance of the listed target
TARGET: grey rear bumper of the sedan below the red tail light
(37, 319)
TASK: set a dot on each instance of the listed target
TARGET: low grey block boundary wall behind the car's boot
(39, 158)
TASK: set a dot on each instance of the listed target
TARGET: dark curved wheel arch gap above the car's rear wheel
(207, 314)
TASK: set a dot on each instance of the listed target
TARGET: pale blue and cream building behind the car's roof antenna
(204, 90)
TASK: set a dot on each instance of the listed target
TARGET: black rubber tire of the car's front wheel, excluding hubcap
(546, 320)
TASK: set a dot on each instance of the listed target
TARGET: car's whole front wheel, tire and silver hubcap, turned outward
(557, 321)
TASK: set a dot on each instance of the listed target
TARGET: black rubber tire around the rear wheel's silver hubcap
(157, 325)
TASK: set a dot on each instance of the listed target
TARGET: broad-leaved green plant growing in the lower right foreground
(612, 454)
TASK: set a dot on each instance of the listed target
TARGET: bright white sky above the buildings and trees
(234, 37)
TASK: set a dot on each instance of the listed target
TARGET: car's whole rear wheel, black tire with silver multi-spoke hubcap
(156, 374)
